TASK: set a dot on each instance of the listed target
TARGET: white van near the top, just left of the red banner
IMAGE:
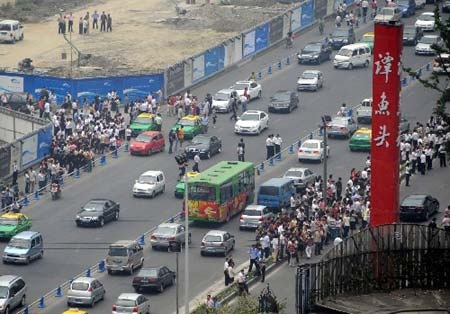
(352, 56)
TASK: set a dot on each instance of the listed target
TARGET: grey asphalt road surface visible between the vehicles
(69, 250)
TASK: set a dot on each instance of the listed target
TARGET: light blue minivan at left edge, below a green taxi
(24, 247)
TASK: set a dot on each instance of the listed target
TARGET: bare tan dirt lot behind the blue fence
(147, 35)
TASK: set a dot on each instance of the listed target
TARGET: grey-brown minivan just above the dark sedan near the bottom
(124, 256)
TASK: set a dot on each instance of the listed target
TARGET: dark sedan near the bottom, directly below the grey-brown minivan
(158, 278)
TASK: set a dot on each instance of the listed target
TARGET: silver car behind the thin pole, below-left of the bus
(166, 233)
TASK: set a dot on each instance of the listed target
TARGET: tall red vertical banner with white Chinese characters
(385, 153)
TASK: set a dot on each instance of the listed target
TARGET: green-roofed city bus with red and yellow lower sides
(221, 191)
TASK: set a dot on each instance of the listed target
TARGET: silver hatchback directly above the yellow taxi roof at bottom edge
(85, 291)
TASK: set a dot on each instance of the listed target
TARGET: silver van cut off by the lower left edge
(13, 291)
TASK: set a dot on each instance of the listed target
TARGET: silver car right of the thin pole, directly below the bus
(217, 242)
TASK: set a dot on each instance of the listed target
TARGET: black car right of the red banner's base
(418, 207)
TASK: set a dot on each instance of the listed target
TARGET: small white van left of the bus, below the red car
(149, 184)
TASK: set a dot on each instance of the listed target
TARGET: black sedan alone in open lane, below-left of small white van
(98, 211)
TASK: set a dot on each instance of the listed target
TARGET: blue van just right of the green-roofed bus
(276, 193)
